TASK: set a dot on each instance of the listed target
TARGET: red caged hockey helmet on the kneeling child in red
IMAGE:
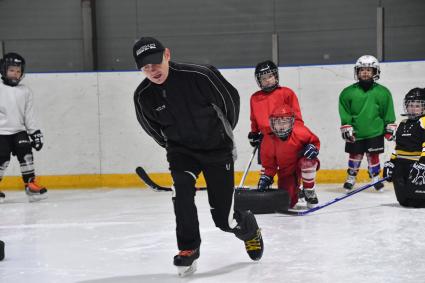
(282, 121)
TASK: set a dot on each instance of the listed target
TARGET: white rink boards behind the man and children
(90, 125)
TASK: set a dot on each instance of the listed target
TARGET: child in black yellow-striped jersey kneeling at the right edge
(406, 169)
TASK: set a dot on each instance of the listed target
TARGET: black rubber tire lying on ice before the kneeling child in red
(261, 202)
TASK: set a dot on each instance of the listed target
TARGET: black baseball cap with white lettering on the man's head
(147, 50)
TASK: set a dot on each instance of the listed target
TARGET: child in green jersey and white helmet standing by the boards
(367, 116)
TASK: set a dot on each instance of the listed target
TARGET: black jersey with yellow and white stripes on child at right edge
(410, 140)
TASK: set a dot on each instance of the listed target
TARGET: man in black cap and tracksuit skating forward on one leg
(191, 110)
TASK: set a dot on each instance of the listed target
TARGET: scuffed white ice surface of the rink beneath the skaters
(127, 235)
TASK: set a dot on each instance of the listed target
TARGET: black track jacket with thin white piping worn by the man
(195, 109)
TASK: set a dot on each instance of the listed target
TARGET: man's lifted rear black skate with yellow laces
(248, 231)
